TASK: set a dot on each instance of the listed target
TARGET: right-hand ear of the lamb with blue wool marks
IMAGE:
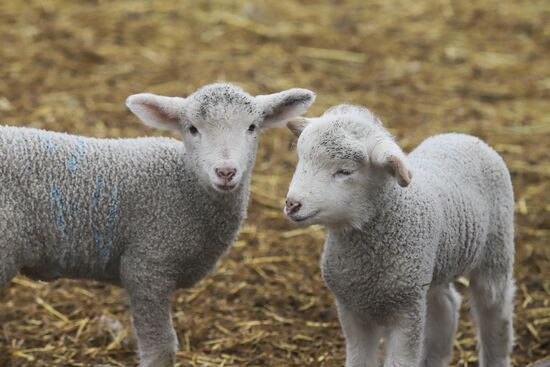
(277, 108)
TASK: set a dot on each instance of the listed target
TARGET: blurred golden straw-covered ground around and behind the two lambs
(425, 67)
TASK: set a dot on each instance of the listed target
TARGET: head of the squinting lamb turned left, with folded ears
(343, 157)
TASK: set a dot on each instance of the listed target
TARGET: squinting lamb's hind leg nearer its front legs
(441, 323)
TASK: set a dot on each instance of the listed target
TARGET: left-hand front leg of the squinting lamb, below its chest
(362, 338)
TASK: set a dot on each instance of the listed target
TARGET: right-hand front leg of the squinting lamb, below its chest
(406, 338)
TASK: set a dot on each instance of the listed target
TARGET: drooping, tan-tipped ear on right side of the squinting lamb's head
(387, 155)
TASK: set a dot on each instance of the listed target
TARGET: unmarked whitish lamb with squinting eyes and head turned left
(400, 229)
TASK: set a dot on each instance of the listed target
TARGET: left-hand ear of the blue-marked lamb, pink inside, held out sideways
(157, 111)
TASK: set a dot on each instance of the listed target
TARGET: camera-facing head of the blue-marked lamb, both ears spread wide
(220, 126)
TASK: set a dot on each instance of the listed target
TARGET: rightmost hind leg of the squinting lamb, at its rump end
(492, 306)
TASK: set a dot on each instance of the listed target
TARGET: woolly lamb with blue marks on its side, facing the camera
(148, 214)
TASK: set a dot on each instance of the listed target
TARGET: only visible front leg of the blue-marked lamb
(150, 301)
